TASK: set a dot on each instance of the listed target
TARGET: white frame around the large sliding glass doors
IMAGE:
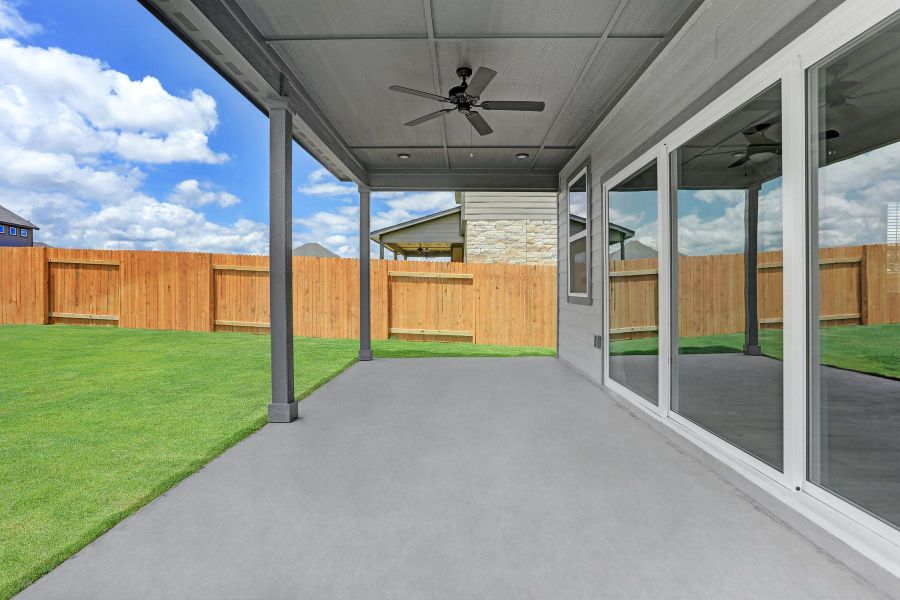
(867, 534)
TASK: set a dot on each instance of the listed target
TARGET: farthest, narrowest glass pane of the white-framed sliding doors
(633, 284)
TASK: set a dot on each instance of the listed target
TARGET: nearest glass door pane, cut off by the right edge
(855, 405)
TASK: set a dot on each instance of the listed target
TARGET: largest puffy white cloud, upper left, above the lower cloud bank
(55, 101)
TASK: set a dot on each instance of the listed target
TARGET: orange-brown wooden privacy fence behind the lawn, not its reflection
(482, 303)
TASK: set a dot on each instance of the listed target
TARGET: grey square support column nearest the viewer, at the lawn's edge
(283, 408)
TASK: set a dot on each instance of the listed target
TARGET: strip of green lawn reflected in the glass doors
(873, 349)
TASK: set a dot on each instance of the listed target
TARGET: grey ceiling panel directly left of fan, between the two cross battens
(349, 80)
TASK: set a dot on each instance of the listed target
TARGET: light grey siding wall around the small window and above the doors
(723, 42)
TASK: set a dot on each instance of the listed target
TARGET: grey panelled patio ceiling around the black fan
(334, 60)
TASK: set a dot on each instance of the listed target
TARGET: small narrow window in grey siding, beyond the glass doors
(579, 246)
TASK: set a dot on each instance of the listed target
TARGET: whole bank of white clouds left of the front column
(72, 132)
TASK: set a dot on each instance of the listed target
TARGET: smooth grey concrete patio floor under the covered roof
(465, 478)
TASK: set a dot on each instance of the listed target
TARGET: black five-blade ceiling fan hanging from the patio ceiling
(466, 96)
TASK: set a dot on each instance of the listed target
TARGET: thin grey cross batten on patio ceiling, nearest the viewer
(462, 37)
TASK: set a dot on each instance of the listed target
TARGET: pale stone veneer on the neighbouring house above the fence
(511, 241)
